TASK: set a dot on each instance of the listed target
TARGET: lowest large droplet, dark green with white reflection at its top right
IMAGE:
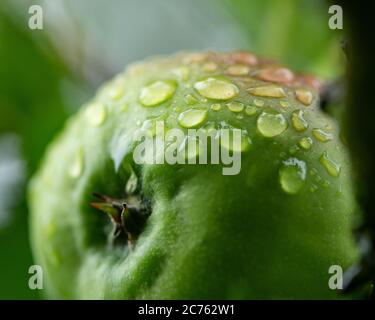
(292, 175)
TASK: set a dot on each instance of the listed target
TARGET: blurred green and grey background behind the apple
(45, 75)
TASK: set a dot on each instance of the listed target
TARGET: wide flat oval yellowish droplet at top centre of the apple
(213, 88)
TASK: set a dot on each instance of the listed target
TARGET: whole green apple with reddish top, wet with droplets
(270, 228)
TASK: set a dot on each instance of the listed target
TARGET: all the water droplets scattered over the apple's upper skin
(223, 92)
